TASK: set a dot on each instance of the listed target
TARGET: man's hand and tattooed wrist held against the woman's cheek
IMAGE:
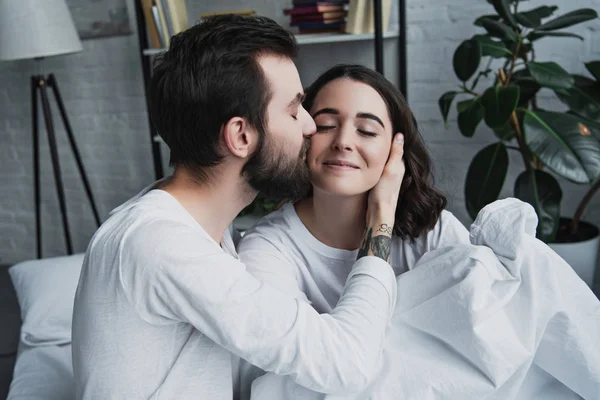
(383, 199)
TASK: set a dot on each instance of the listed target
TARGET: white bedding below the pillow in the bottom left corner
(43, 373)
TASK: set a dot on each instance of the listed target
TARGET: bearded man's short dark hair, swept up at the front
(209, 75)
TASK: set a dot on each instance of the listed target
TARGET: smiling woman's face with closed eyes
(353, 139)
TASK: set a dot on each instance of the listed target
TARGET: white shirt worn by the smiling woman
(281, 251)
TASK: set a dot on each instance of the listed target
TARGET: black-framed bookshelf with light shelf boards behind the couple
(377, 38)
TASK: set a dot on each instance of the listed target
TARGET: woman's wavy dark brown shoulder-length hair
(419, 204)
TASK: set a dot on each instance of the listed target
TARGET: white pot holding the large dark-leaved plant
(580, 252)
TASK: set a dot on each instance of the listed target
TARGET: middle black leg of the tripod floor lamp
(55, 164)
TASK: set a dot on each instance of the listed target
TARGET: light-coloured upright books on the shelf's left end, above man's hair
(164, 18)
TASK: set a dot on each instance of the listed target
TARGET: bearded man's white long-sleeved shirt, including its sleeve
(161, 309)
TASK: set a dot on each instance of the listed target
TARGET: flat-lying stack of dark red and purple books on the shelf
(315, 16)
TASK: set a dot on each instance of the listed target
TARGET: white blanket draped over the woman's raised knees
(503, 318)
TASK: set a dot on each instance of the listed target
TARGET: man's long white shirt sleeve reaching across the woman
(179, 276)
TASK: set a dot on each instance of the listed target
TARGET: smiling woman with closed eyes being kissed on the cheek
(308, 248)
